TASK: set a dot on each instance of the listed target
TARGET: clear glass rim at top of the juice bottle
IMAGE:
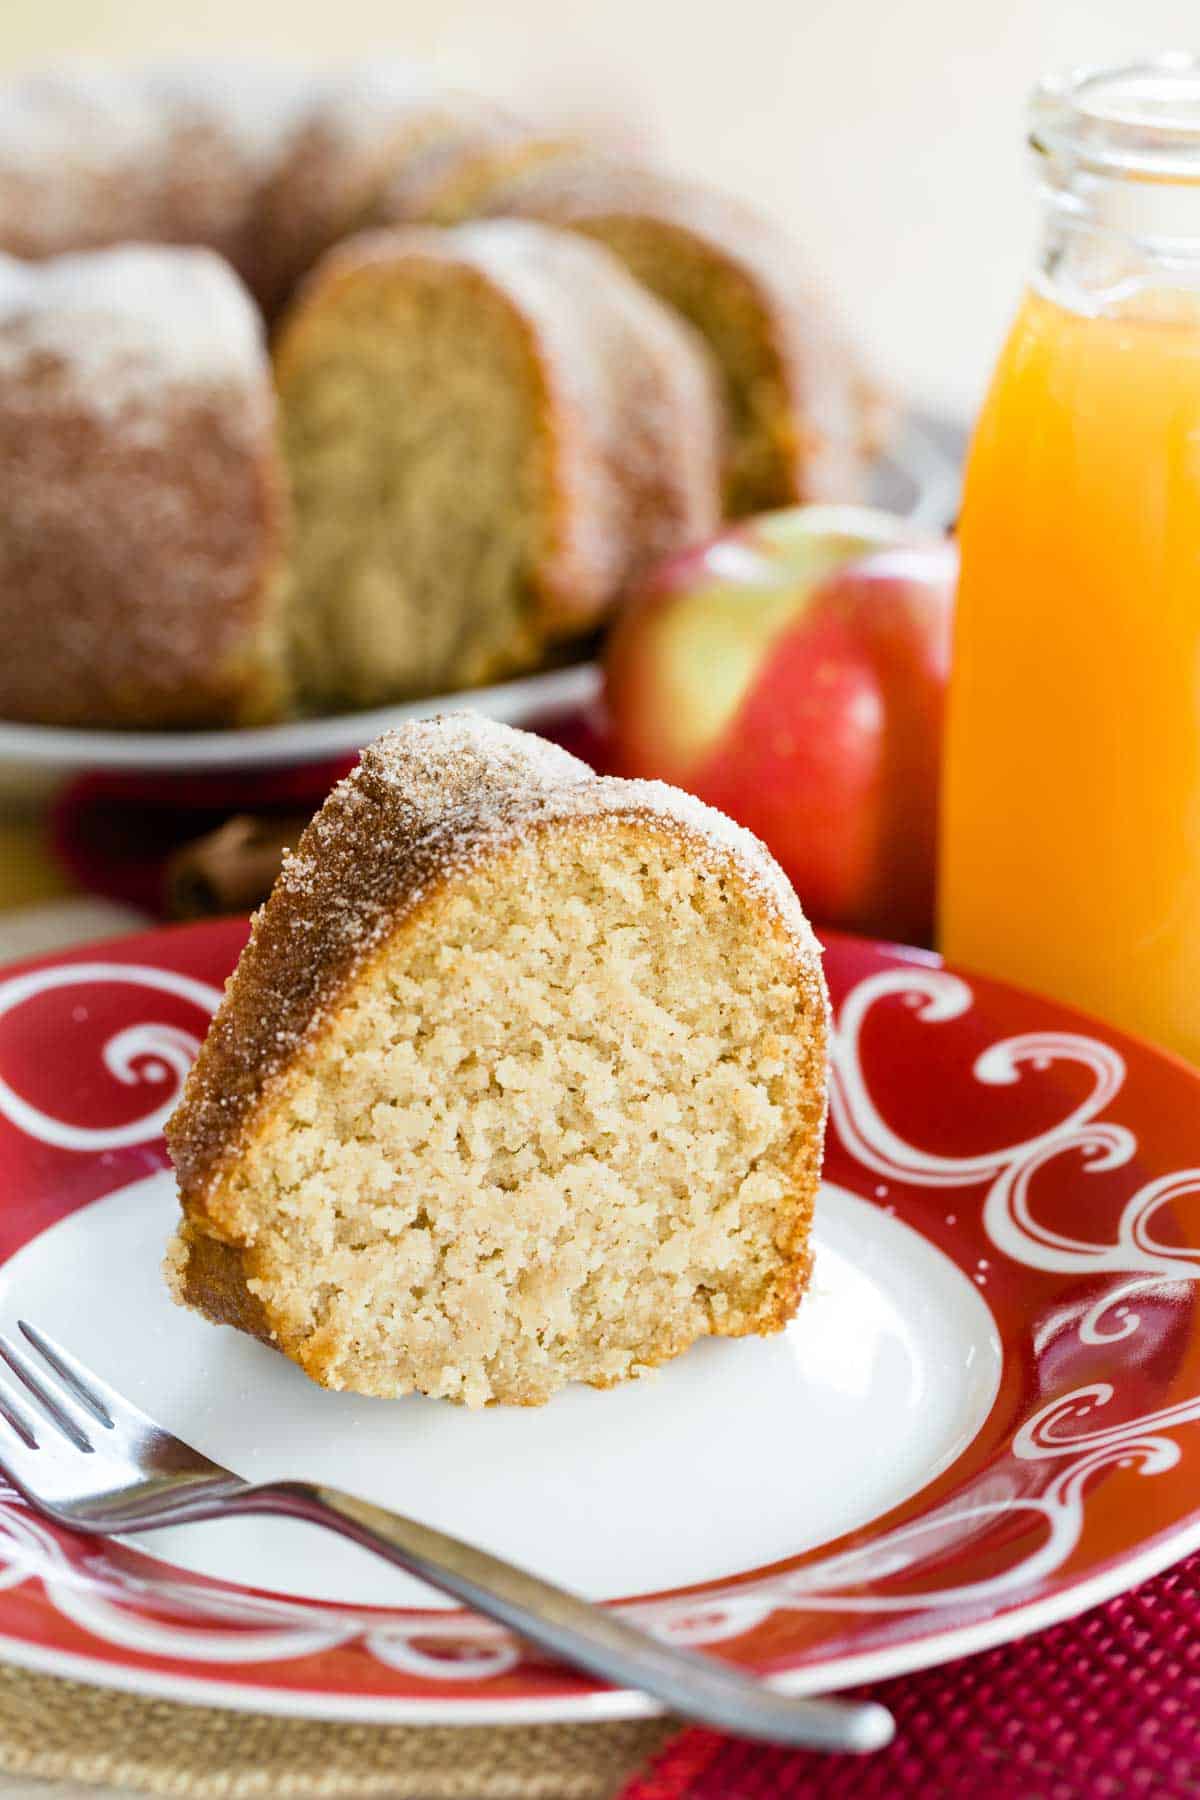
(1138, 120)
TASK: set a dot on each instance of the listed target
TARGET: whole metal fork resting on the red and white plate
(94, 1462)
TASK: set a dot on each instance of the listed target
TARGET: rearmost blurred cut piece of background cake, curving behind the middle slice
(800, 417)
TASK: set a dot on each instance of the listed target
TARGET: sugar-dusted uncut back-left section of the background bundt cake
(258, 161)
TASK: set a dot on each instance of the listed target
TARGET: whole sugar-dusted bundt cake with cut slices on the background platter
(487, 433)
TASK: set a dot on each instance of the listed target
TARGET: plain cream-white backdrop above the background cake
(888, 132)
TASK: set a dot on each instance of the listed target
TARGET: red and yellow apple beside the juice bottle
(793, 674)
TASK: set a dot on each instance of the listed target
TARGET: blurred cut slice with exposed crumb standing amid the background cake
(488, 433)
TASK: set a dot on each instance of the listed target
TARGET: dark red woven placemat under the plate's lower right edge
(1106, 1705)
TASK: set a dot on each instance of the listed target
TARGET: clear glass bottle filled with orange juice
(1071, 811)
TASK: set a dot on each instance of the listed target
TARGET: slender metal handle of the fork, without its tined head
(577, 1632)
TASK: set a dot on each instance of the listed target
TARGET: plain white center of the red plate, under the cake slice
(737, 1455)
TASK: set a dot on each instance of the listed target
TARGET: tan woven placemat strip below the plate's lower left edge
(71, 1732)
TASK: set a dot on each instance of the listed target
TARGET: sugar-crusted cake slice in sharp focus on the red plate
(521, 1081)
